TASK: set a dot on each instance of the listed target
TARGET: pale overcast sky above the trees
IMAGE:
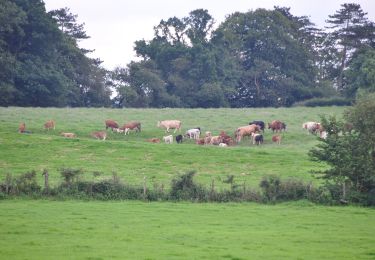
(114, 25)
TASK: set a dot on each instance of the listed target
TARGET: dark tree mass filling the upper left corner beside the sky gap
(40, 61)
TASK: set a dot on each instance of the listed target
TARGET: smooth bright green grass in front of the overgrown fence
(136, 230)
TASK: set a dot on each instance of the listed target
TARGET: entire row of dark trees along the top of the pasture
(255, 59)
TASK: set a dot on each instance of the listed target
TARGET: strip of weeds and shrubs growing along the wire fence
(182, 188)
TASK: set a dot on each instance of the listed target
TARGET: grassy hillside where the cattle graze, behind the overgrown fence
(133, 158)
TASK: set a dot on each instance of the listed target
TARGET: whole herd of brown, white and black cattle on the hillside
(254, 130)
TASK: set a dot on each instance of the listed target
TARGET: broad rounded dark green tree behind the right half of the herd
(273, 51)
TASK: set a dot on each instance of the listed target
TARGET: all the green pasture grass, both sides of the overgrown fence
(46, 229)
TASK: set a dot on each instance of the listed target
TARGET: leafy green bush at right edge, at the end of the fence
(349, 151)
